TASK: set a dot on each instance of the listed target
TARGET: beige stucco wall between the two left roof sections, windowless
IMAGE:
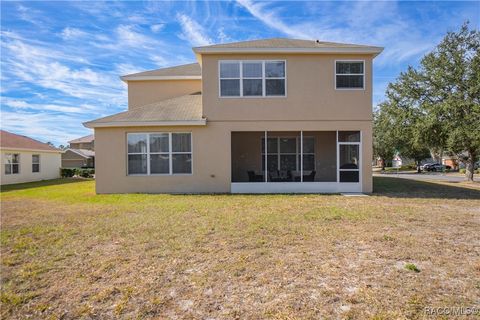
(141, 93)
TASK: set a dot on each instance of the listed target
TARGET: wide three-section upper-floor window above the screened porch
(251, 78)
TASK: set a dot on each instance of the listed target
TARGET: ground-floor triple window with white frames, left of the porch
(159, 153)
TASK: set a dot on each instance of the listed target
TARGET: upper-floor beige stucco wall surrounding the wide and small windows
(311, 93)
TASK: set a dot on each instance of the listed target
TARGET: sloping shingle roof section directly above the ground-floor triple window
(186, 108)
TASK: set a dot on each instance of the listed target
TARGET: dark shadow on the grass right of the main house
(406, 188)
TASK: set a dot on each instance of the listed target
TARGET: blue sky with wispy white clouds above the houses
(60, 61)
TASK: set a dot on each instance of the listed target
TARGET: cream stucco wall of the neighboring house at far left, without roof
(49, 167)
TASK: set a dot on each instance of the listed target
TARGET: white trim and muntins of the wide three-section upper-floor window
(264, 78)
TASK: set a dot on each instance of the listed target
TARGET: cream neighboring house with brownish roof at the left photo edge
(25, 159)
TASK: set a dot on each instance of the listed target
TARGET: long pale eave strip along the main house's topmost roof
(347, 50)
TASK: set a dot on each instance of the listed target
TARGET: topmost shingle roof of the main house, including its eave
(288, 45)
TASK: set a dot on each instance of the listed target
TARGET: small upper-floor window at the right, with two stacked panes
(349, 75)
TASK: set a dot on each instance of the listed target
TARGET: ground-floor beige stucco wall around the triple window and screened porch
(211, 155)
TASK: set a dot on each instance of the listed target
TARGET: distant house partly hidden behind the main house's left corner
(80, 153)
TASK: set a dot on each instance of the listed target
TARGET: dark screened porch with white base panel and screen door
(296, 161)
